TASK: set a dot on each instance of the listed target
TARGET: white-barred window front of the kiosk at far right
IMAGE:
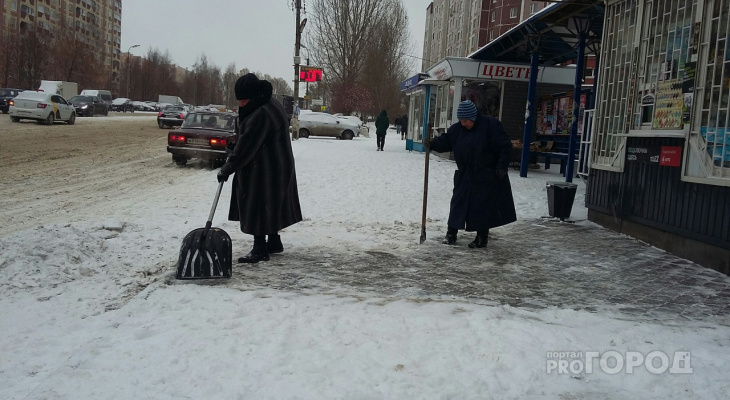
(673, 80)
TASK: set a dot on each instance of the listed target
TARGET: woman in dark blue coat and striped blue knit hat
(482, 197)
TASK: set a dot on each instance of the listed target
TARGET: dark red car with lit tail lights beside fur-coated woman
(203, 135)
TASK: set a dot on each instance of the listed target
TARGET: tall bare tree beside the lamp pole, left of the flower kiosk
(360, 45)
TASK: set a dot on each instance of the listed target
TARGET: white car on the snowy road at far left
(41, 106)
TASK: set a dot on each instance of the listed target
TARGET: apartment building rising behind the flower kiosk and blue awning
(456, 28)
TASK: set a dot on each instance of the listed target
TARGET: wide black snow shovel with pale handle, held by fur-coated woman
(206, 252)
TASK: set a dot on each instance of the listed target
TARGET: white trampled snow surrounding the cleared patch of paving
(89, 308)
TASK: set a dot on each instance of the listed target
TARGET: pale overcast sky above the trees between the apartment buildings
(256, 34)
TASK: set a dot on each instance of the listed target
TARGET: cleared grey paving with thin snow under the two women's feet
(533, 264)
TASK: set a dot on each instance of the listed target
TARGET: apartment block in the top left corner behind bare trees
(97, 22)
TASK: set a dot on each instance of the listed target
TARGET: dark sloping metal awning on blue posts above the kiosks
(553, 30)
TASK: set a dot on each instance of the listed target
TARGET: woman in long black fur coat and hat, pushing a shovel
(264, 195)
